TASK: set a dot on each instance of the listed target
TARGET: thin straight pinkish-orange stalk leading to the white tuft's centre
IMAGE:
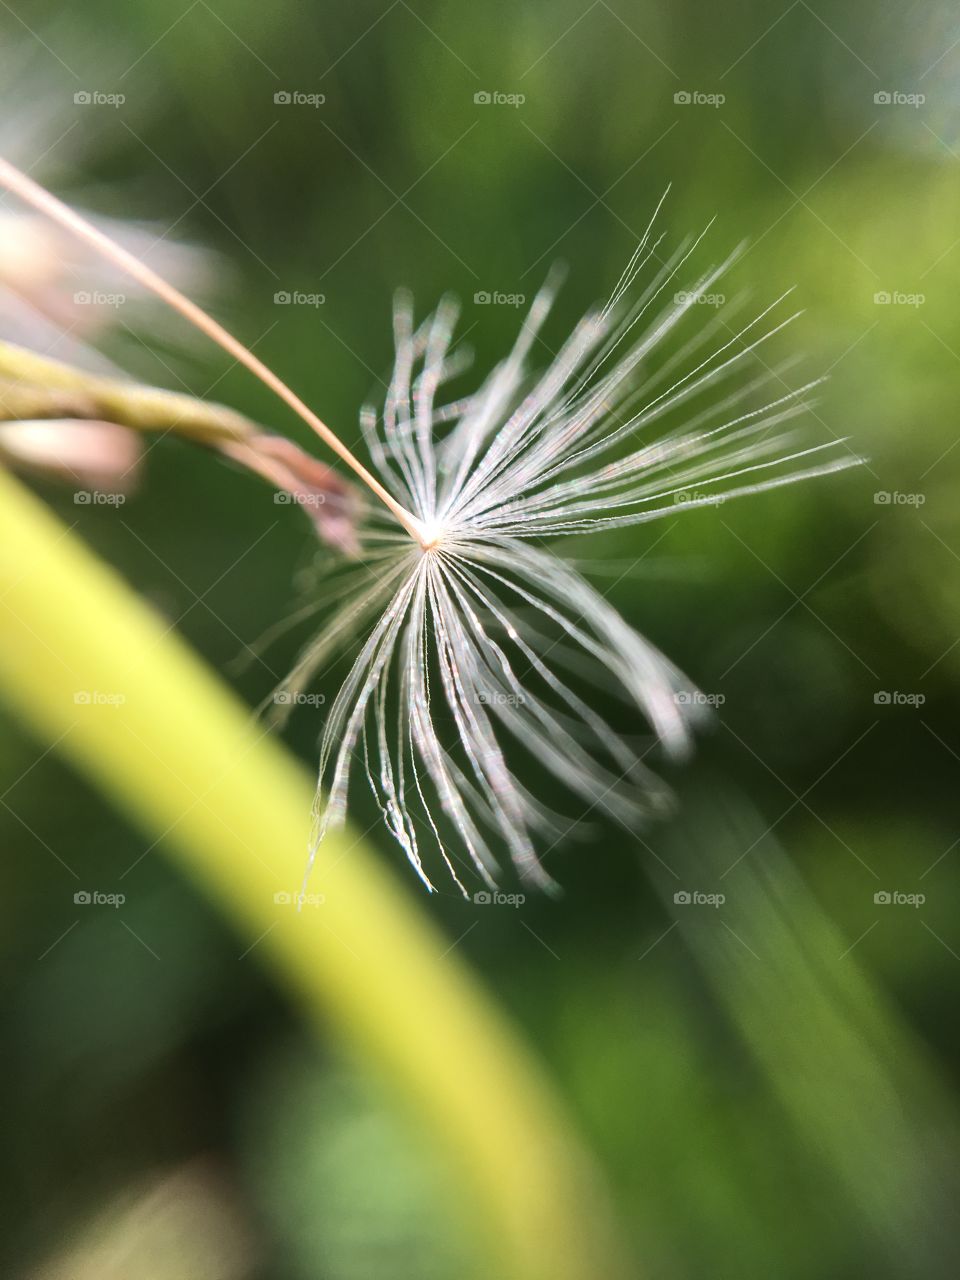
(33, 194)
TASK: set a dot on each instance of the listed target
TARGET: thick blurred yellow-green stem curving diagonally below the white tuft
(193, 769)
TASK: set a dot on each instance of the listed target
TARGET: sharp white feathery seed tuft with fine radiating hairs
(470, 641)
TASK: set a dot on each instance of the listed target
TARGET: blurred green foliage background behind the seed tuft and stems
(770, 1085)
